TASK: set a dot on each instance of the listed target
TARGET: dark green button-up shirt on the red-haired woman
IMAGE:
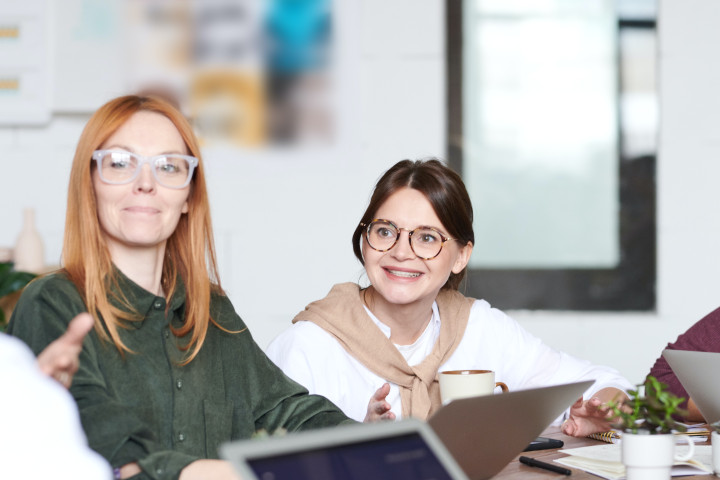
(145, 407)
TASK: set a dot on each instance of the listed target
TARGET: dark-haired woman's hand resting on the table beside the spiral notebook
(591, 416)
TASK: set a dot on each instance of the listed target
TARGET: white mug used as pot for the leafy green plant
(651, 457)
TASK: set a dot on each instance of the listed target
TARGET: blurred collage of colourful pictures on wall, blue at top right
(248, 73)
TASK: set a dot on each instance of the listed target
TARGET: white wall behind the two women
(393, 107)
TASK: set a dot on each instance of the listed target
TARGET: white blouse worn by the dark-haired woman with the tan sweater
(492, 341)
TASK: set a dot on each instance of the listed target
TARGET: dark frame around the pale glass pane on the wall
(630, 284)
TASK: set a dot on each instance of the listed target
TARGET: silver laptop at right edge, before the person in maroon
(695, 370)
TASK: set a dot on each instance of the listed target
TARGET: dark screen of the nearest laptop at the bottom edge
(393, 458)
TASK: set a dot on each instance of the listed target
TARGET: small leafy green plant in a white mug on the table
(647, 425)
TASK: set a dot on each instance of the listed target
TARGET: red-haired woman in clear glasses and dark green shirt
(170, 371)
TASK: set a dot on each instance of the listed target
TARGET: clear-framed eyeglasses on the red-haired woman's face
(118, 167)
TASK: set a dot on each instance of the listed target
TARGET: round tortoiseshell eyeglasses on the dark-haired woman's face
(425, 242)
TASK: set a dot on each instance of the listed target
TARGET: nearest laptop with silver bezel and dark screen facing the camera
(407, 449)
